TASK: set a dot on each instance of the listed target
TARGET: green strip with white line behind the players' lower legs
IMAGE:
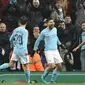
(65, 78)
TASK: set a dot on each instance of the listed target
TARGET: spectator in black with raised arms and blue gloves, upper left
(11, 14)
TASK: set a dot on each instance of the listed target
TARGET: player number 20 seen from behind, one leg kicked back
(19, 40)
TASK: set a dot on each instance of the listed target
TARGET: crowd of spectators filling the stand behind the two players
(69, 16)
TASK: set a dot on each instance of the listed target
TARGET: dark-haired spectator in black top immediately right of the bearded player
(61, 30)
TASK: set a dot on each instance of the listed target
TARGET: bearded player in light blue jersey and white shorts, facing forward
(49, 34)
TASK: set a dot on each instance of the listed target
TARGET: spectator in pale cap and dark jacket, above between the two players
(36, 14)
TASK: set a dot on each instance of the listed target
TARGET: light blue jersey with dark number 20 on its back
(19, 40)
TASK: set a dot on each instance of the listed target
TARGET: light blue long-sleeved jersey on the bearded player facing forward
(50, 38)
